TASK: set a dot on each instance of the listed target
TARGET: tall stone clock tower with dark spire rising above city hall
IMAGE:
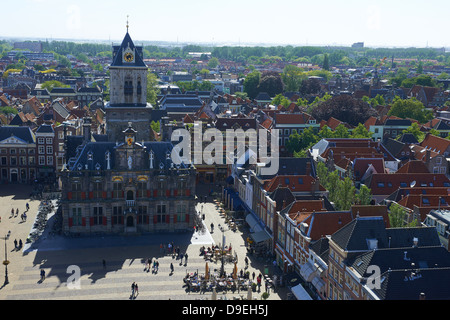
(128, 92)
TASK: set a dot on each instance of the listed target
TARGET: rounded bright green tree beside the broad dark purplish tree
(410, 108)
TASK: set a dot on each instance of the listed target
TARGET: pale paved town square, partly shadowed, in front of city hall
(125, 260)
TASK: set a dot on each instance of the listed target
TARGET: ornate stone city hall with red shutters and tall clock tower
(126, 184)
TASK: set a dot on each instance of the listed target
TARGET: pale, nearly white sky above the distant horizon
(377, 23)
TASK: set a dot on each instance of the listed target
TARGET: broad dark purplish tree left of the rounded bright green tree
(345, 108)
